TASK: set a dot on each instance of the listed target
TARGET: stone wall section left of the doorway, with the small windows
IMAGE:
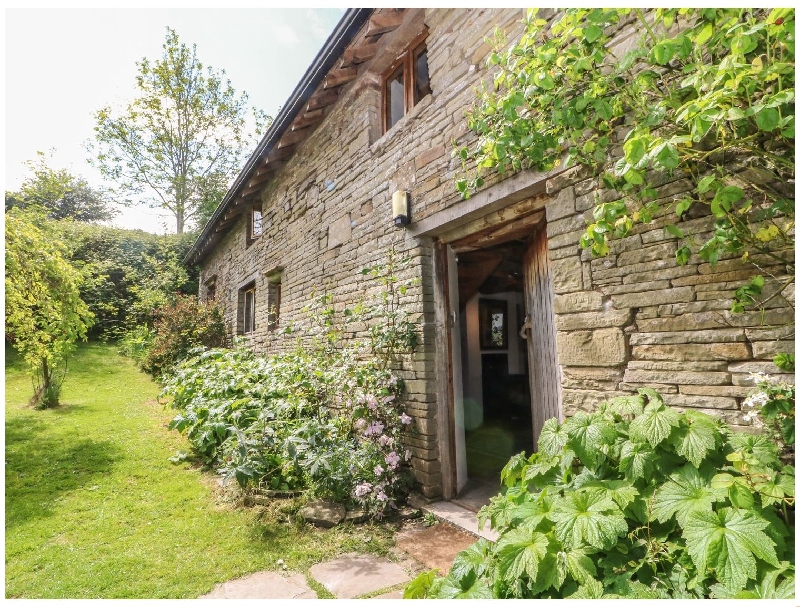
(327, 214)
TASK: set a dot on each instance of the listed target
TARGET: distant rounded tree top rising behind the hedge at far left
(60, 194)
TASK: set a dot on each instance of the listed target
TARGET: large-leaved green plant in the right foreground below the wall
(636, 500)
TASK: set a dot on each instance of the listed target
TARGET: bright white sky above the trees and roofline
(62, 65)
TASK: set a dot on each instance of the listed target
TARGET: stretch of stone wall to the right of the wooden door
(636, 318)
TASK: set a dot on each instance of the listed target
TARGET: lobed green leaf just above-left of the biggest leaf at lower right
(686, 491)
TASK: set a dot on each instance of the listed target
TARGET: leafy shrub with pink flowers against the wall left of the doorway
(326, 417)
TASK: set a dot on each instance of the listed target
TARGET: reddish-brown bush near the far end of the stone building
(179, 328)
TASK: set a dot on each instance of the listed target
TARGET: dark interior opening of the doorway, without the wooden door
(494, 363)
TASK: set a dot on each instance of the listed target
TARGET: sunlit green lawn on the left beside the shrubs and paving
(94, 509)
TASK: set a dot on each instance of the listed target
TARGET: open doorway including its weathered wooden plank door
(503, 362)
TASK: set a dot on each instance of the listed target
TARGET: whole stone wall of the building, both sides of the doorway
(632, 319)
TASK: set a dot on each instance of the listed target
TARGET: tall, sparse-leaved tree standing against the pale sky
(180, 142)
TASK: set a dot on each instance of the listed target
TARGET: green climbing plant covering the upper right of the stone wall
(707, 95)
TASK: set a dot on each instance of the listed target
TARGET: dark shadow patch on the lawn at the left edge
(40, 469)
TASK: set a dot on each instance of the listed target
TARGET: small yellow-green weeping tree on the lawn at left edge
(45, 315)
